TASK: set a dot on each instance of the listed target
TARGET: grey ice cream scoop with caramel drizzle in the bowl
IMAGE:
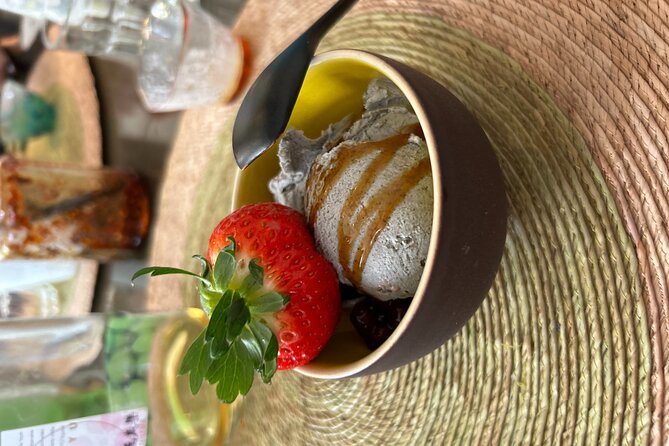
(369, 198)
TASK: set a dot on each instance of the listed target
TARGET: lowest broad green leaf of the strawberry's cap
(233, 373)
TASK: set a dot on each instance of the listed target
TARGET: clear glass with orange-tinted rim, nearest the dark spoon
(199, 63)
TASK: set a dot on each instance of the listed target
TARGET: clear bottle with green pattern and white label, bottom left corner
(103, 379)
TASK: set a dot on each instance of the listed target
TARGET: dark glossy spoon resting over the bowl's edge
(267, 106)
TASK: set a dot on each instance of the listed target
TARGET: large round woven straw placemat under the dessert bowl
(571, 344)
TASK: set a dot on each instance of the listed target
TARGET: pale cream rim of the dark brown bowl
(381, 64)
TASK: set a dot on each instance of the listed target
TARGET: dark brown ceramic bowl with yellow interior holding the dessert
(469, 215)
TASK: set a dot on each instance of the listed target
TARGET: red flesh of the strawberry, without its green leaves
(279, 238)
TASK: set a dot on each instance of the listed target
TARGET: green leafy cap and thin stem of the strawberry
(237, 341)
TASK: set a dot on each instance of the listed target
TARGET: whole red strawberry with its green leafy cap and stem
(272, 298)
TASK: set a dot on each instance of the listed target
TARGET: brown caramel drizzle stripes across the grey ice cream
(380, 205)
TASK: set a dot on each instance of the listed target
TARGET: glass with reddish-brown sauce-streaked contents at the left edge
(54, 210)
